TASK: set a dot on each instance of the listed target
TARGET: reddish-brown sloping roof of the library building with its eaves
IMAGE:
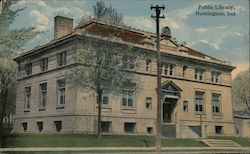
(125, 33)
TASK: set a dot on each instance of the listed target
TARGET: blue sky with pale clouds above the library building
(223, 37)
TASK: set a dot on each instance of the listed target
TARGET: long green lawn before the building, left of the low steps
(80, 140)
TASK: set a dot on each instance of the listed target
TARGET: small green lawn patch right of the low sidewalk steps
(245, 142)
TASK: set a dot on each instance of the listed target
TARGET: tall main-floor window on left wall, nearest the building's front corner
(61, 92)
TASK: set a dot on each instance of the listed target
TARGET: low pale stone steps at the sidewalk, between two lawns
(219, 143)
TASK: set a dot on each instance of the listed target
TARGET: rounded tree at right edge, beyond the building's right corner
(241, 90)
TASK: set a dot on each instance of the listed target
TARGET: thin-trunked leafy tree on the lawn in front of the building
(104, 69)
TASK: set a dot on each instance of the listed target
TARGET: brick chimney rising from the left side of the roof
(62, 26)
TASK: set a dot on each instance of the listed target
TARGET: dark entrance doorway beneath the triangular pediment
(168, 108)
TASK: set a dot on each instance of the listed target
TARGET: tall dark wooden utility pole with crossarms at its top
(158, 118)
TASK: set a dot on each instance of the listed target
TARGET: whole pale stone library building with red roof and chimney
(196, 88)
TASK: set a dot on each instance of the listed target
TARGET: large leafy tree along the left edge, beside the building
(11, 42)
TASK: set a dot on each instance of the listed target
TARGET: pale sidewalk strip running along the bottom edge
(131, 149)
